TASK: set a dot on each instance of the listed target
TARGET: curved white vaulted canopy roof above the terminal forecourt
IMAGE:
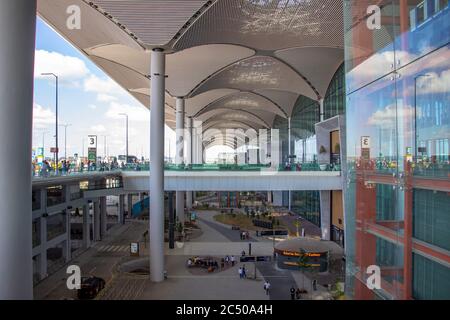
(254, 58)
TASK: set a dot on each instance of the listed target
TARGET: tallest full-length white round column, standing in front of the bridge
(156, 228)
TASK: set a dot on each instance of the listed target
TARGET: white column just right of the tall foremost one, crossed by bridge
(179, 156)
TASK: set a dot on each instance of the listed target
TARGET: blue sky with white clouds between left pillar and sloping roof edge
(89, 101)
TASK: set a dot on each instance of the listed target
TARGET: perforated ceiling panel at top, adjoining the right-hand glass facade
(268, 25)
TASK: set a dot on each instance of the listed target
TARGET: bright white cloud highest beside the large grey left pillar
(66, 67)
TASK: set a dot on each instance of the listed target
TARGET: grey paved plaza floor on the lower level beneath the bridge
(105, 259)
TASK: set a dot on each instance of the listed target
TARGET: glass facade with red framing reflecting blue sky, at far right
(398, 128)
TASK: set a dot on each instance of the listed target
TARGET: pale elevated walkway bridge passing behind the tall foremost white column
(261, 179)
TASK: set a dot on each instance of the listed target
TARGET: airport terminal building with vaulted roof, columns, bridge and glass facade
(342, 106)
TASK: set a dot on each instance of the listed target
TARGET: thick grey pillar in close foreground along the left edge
(17, 38)
